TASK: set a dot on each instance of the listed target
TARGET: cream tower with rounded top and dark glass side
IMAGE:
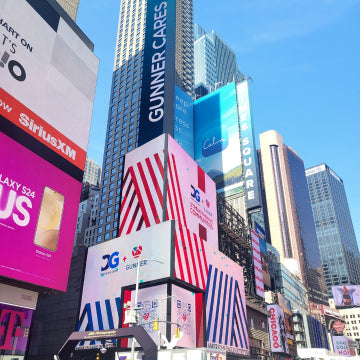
(291, 226)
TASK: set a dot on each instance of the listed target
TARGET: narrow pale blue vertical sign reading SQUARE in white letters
(249, 154)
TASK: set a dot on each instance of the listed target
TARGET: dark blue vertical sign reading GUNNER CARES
(158, 82)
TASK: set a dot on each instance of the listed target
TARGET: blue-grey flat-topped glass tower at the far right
(338, 248)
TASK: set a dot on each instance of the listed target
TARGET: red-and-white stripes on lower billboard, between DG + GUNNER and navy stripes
(190, 260)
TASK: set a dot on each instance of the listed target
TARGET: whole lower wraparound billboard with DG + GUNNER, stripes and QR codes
(218, 286)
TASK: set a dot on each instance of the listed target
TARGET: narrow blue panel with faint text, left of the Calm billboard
(183, 129)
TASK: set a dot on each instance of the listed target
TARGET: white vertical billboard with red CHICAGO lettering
(277, 330)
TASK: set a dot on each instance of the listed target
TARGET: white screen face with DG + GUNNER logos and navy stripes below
(108, 262)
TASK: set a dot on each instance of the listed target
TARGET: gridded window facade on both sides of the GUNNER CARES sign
(125, 98)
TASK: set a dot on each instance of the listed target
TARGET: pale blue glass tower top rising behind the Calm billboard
(215, 62)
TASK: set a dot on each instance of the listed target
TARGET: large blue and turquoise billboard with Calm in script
(217, 138)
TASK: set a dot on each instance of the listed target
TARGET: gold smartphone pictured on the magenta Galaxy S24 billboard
(49, 221)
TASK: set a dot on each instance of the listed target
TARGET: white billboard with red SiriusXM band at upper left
(47, 81)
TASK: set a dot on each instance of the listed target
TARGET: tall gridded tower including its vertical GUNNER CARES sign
(153, 68)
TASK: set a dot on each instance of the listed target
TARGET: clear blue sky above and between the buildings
(303, 57)
